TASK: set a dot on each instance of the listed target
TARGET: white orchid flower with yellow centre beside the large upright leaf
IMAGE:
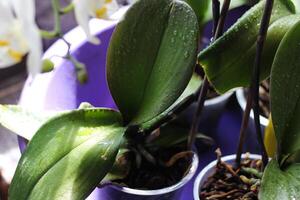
(84, 9)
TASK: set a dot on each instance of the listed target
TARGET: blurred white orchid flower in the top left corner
(19, 35)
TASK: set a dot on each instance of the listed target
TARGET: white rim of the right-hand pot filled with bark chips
(211, 165)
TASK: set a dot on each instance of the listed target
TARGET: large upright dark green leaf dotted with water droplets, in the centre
(151, 57)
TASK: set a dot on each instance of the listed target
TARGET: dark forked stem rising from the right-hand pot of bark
(254, 88)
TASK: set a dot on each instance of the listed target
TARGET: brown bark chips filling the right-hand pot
(230, 182)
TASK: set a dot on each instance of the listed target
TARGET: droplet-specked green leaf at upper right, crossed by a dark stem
(235, 50)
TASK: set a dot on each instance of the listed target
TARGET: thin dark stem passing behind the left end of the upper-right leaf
(218, 30)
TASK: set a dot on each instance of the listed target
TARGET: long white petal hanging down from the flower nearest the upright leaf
(82, 17)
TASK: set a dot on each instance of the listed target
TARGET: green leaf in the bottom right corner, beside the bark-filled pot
(280, 185)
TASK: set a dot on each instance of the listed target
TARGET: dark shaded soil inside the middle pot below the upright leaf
(170, 166)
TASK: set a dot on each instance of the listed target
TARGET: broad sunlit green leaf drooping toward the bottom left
(68, 156)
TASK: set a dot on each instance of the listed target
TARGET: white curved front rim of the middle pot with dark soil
(166, 190)
